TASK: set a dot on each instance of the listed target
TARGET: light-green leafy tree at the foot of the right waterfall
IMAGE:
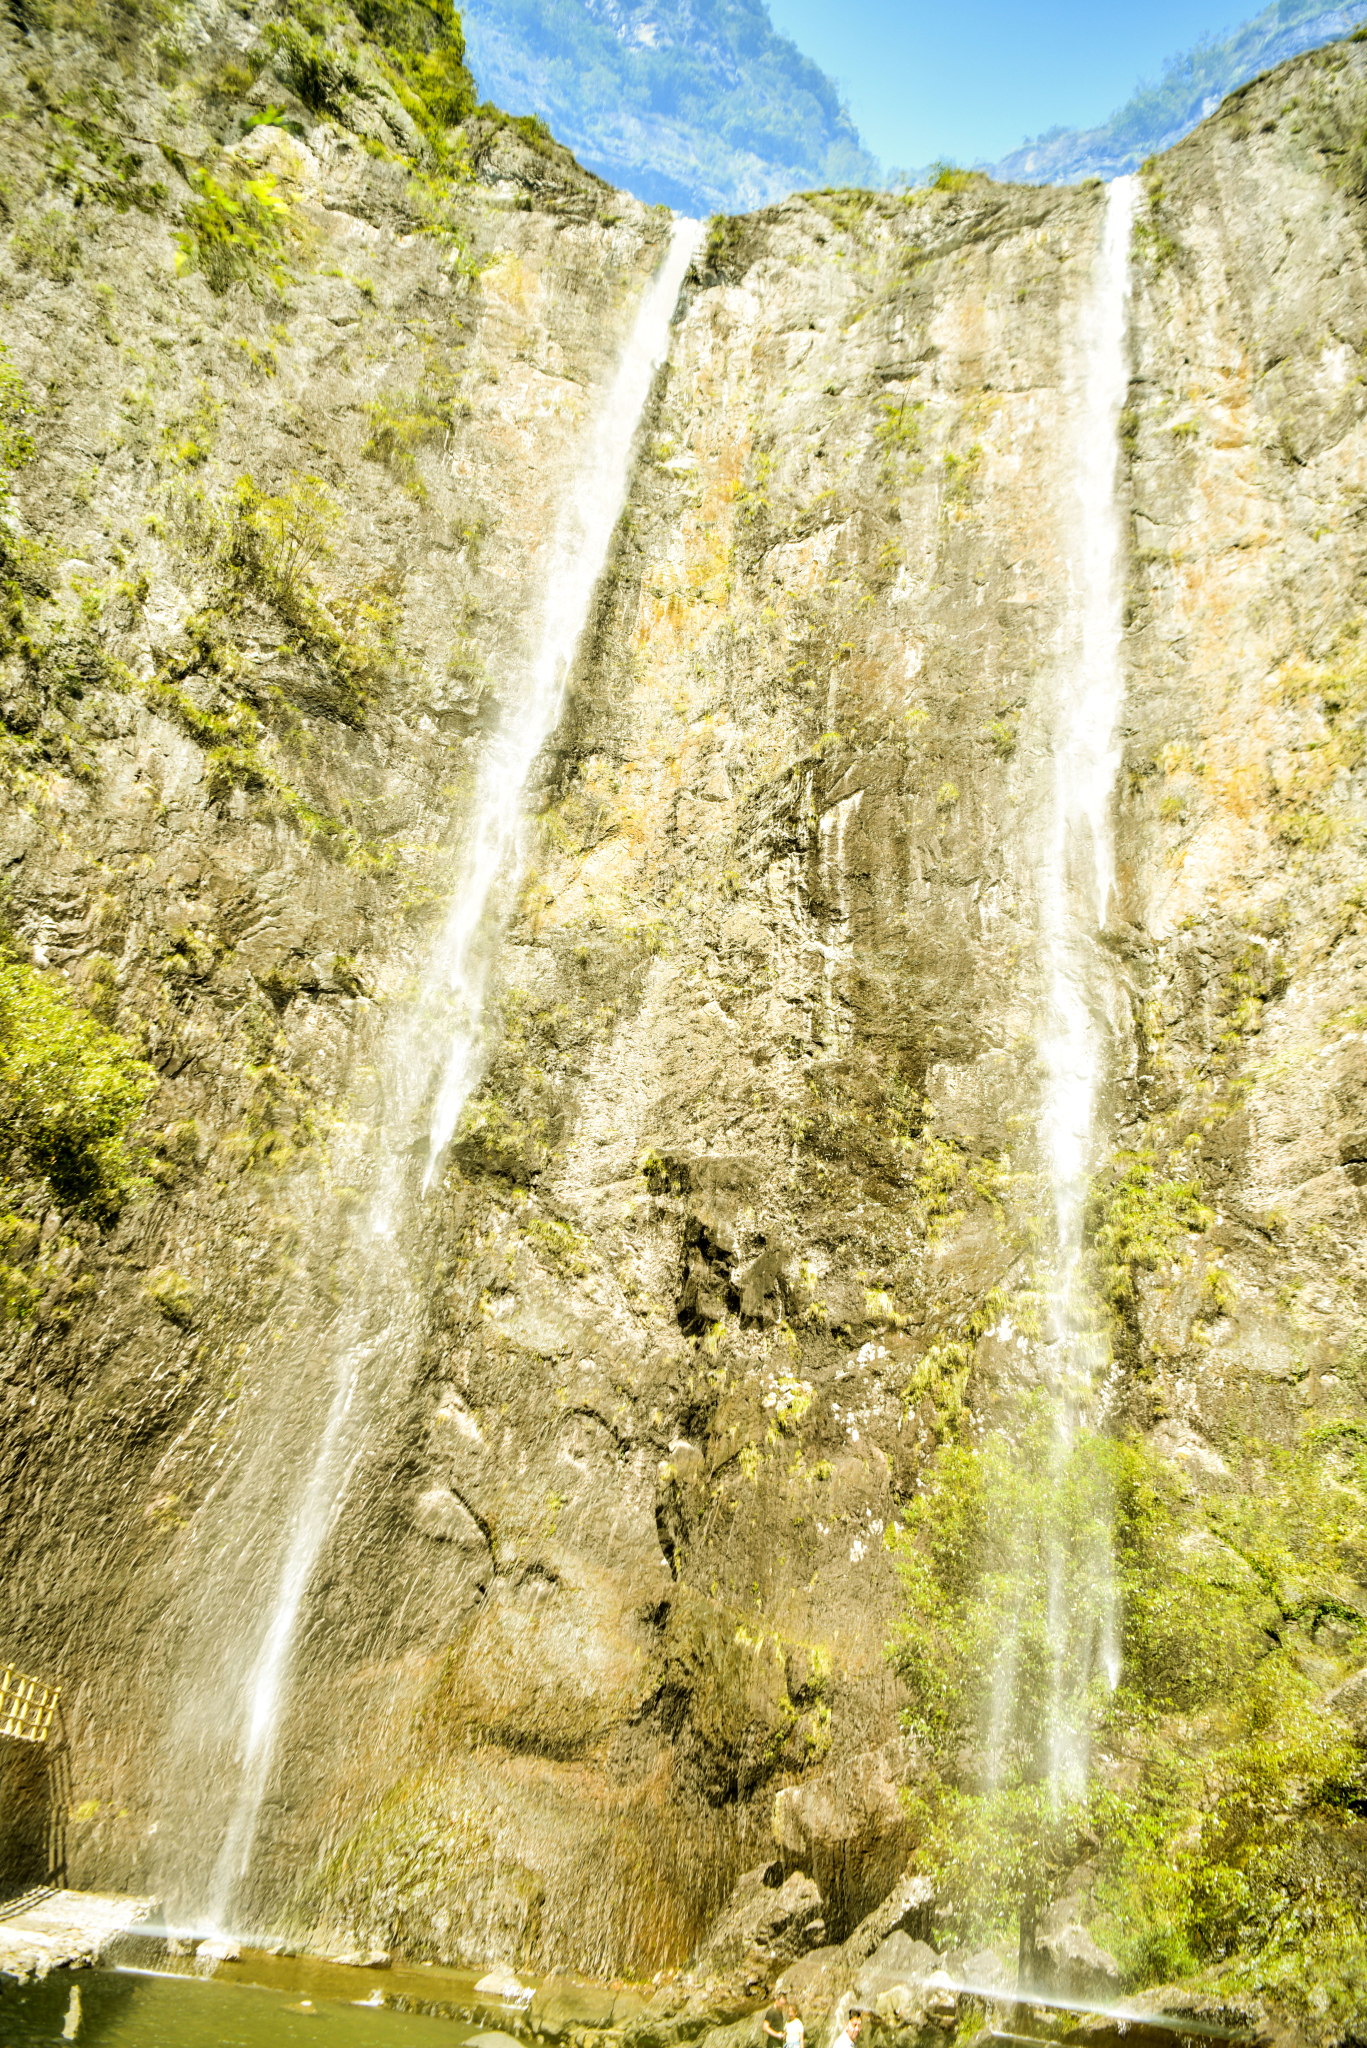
(1009, 1654)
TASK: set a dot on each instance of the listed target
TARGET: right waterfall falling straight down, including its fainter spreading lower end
(1069, 1623)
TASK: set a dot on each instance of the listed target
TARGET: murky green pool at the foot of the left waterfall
(122, 2010)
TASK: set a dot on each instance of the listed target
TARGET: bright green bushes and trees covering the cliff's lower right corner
(1223, 1809)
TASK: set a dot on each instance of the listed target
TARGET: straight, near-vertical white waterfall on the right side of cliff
(1075, 894)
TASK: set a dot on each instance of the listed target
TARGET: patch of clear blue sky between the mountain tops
(977, 79)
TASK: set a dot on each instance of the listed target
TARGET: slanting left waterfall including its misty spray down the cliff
(306, 1451)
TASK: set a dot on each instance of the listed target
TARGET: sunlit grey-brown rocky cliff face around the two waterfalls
(745, 1213)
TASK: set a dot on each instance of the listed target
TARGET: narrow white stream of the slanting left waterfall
(442, 1048)
